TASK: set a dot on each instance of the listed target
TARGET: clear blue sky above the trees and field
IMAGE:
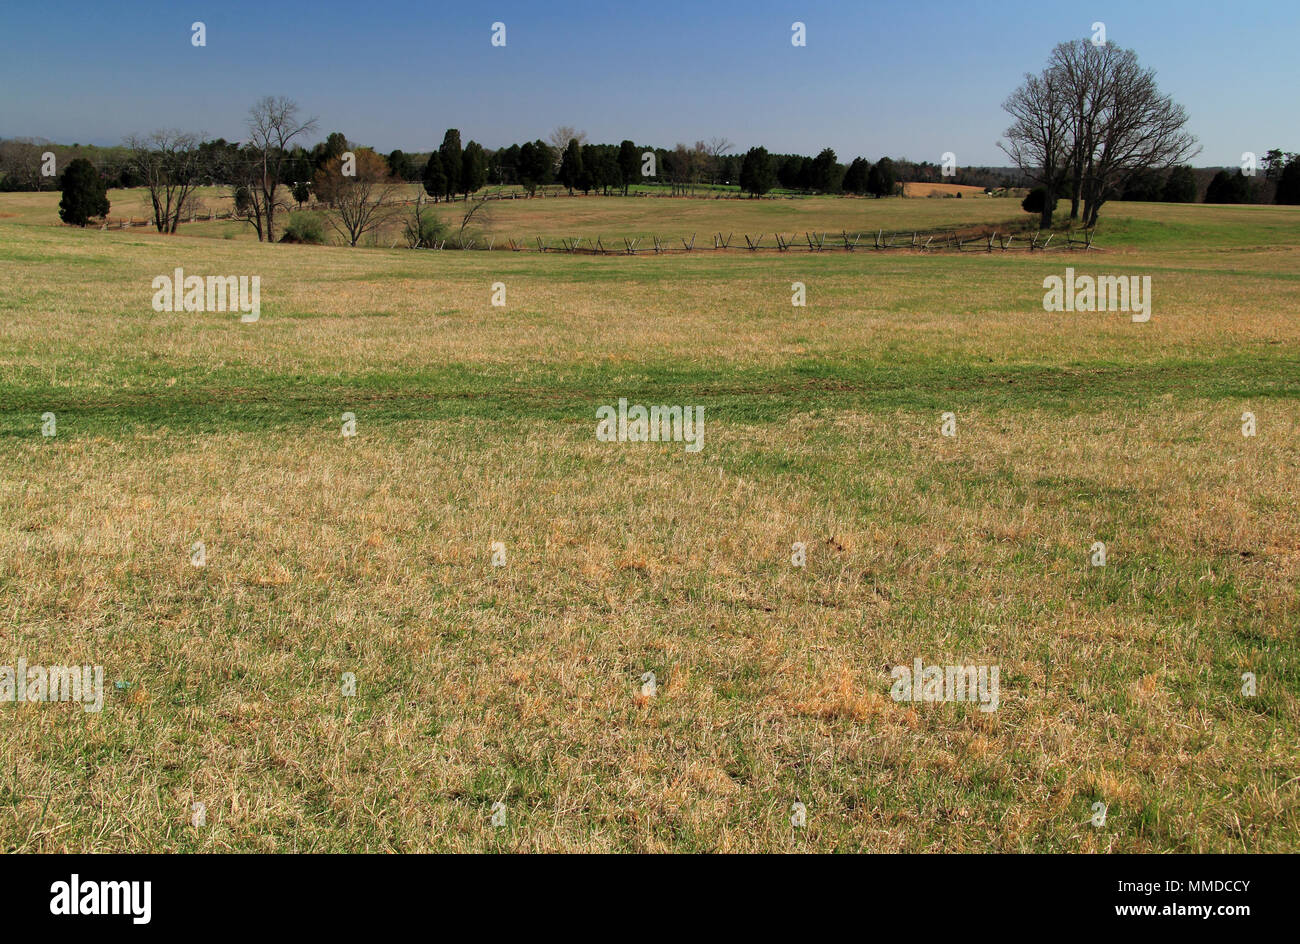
(905, 80)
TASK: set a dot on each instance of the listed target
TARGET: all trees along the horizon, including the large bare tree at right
(1090, 128)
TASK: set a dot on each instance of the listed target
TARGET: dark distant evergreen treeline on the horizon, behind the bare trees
(456, 170)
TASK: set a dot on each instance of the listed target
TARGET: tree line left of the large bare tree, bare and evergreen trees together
(274, 162)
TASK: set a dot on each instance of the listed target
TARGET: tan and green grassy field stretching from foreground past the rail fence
(475, 425)
